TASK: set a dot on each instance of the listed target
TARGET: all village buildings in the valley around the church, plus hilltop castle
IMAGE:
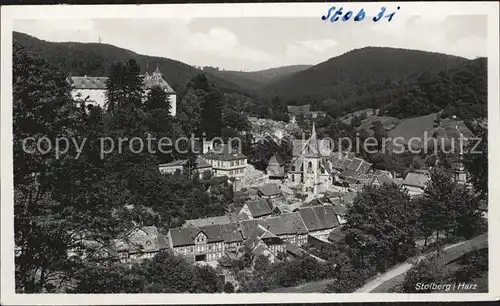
(287, 211)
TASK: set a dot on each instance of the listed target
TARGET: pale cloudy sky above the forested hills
(250, 43)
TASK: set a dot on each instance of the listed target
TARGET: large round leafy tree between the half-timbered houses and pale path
(381, 225)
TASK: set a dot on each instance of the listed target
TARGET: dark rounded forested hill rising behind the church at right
(357, 73)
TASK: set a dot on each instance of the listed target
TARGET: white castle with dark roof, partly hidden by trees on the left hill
(92, 90)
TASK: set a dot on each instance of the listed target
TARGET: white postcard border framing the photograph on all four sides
(188, 11)
